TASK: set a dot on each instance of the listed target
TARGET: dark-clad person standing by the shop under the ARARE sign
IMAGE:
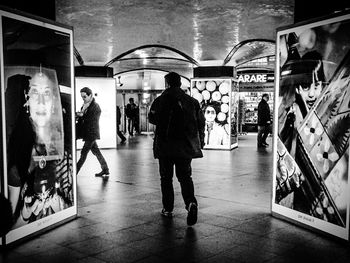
(264, 120)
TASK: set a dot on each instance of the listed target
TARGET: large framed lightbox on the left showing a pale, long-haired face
(34, 71)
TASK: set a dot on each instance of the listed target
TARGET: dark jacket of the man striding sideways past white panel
(90, 128)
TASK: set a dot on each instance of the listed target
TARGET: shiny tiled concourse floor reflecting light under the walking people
(119, 220)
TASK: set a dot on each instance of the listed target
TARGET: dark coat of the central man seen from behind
(190, 144)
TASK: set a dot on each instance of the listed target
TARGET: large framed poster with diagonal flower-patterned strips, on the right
(313, 114)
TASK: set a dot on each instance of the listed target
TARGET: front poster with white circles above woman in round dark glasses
(214, 96)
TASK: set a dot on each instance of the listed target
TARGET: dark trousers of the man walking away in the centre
(183, 172)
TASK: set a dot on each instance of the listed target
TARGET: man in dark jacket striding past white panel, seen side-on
(90, 131)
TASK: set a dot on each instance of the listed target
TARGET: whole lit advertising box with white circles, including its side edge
(222, 96)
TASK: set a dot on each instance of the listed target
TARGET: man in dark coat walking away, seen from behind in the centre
(179, 137)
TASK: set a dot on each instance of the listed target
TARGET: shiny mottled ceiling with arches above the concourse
(202, 29)
